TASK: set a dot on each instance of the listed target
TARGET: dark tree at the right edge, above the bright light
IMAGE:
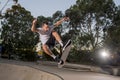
(113, 37)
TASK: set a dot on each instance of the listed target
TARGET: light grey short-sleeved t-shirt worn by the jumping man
(44, 36)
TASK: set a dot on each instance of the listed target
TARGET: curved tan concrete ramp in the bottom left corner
(15, 72)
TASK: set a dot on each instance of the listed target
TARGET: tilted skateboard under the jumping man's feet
(65, 53)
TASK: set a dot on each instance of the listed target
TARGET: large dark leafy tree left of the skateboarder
(16, 29)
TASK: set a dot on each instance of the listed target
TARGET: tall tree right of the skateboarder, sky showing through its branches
(89, 18)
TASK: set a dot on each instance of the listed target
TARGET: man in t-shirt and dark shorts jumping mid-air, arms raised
(48, 35)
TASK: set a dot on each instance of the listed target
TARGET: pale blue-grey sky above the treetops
(43, 7)
